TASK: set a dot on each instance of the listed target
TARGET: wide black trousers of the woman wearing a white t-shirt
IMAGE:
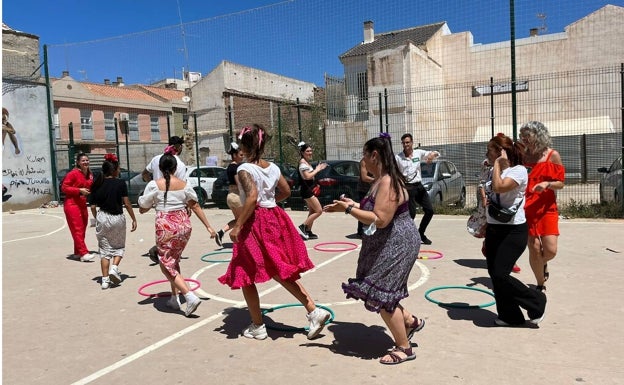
(504, 244)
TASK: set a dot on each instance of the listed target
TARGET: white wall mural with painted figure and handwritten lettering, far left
(26, 163)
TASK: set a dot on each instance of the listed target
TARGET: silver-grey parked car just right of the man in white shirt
(443, 182)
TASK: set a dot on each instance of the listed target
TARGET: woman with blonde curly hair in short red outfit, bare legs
(546, 174)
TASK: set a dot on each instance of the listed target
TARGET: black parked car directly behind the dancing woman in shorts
(340, 177)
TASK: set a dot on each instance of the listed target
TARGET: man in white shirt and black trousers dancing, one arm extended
(409, 164)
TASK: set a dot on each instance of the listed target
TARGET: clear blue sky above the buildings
(147, 40)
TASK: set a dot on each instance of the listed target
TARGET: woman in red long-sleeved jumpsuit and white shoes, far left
(76, 186)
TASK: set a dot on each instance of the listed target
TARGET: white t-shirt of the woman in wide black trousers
(510, 198)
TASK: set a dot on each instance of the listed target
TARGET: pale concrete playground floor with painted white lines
(59, 327)
